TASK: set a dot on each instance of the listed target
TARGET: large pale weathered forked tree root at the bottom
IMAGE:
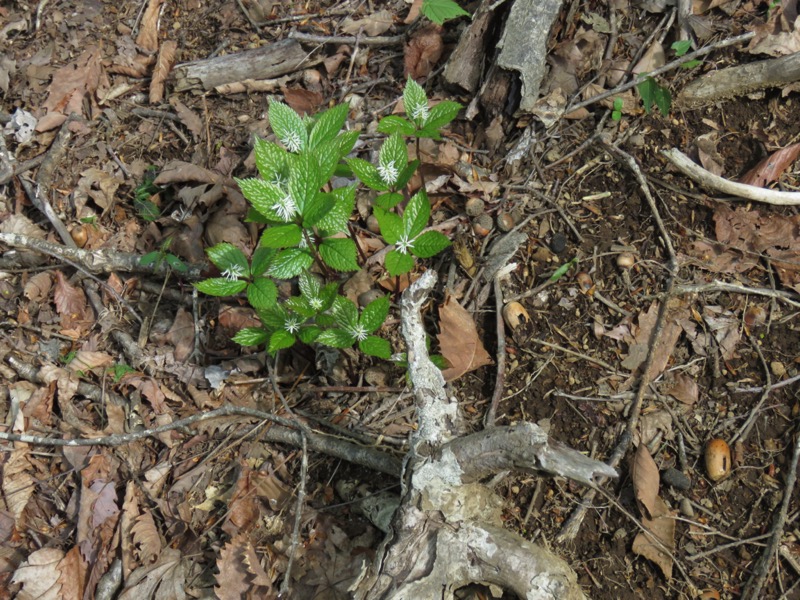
(447, 531)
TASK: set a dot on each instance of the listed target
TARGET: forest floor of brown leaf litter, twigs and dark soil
(210, 506)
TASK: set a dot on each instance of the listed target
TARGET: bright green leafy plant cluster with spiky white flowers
(307, 228)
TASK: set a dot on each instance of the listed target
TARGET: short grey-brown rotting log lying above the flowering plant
(266, 62)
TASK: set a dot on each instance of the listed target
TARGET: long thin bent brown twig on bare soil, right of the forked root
(571, 526)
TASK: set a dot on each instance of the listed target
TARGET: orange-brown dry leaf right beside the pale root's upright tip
(459, 341)
